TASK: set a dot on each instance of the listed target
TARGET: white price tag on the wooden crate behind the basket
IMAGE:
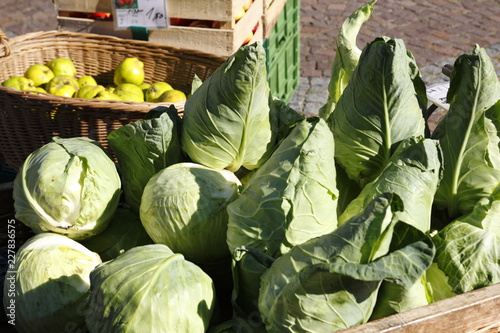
(151, 14)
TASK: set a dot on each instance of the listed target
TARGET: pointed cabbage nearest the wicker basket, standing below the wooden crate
(227, 122)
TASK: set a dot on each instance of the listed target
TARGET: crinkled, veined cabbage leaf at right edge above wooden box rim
(468, 249)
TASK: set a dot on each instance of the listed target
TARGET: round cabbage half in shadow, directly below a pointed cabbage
(184, 207)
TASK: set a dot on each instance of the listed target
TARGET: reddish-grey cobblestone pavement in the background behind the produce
(435, 32)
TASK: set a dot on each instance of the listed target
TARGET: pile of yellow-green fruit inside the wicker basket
(59, 77)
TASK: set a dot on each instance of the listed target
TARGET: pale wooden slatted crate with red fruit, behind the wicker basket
(221, 41)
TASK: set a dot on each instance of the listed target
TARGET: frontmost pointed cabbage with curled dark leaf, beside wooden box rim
(331, 282)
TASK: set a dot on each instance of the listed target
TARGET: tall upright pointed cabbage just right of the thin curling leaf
(380, 107)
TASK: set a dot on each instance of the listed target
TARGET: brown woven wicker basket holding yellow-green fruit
(28, 121)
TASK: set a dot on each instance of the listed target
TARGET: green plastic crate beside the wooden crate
(283, 52)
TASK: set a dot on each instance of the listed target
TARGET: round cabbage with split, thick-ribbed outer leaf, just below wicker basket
(68, 186)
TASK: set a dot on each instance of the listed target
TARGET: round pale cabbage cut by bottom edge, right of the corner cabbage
(150, 289)
